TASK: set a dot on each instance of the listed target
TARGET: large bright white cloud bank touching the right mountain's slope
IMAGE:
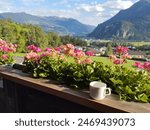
(100, 12)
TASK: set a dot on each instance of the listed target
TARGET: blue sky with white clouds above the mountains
(92, 12)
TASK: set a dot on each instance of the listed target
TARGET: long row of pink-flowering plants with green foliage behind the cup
(75, 69)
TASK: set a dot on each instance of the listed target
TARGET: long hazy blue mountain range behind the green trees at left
(62, 26)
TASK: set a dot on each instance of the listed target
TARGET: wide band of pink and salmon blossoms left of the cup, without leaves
(35, 53)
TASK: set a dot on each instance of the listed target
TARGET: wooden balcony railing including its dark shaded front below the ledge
(26, 94)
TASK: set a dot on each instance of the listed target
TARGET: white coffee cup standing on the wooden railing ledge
(98, 90)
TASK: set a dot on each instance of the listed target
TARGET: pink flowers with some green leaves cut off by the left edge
(5, 52)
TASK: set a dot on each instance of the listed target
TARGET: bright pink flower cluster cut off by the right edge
(145, 66)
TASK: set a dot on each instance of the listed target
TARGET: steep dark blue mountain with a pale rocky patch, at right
(130, 24)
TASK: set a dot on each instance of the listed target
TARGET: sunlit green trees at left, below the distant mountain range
(27, 34)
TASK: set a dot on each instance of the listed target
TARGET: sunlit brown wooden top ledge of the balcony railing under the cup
(109, 104)
